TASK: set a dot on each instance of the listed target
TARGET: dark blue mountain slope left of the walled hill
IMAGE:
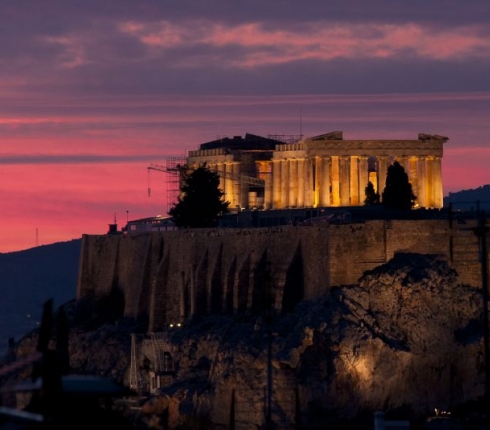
(28, 278)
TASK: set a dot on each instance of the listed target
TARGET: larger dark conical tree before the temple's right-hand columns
(398, 192)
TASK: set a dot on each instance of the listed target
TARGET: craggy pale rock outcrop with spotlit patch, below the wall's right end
(409, 334)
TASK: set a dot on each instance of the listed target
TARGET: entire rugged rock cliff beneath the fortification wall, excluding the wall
(407, 338)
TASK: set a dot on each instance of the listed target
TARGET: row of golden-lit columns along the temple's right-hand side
(323, 181)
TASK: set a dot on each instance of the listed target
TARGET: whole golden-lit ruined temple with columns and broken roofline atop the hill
(320, 171)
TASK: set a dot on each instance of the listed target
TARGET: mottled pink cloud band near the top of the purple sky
(318, 40)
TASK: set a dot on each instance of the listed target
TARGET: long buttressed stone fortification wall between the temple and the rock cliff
(171, 275)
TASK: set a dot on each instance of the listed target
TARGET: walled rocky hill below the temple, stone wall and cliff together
(375, 315)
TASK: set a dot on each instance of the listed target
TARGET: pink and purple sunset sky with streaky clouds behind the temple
(94, 91)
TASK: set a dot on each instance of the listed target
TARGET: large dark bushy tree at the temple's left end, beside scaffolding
(202, 201)
